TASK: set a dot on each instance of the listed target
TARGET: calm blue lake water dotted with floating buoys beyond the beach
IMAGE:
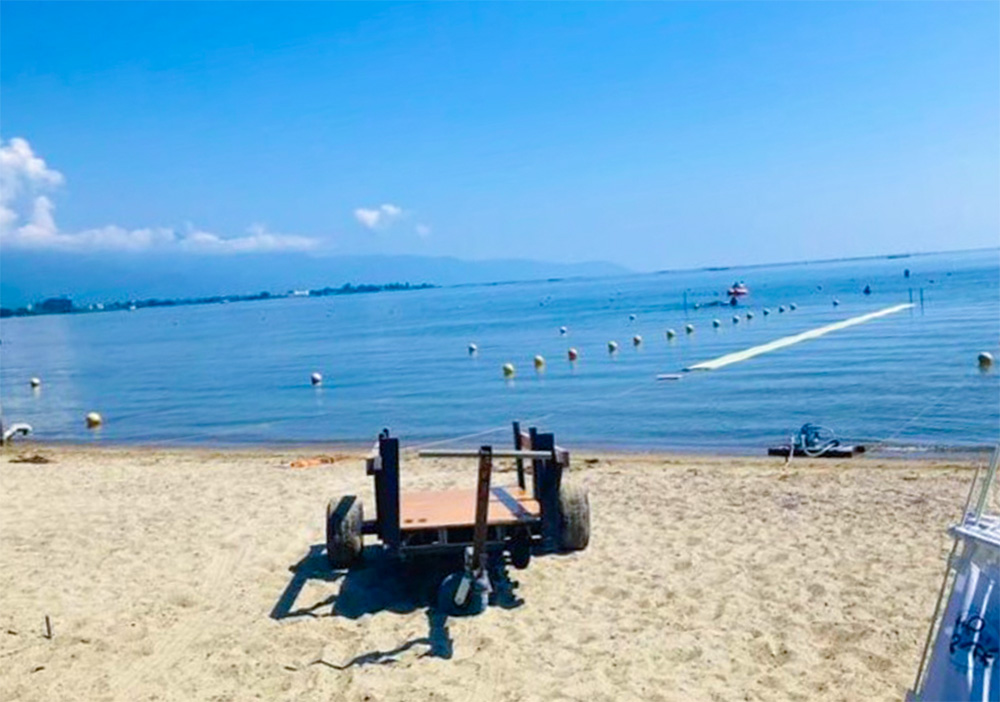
(239, 373)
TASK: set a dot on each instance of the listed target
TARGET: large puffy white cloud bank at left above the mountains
(27, 221)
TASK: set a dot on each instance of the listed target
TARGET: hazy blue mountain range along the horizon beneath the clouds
(29, 277)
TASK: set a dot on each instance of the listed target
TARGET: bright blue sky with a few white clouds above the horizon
(654, 135)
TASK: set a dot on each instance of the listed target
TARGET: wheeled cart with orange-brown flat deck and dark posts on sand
(551, 514)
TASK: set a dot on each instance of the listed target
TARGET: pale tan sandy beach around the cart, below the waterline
(166, 576)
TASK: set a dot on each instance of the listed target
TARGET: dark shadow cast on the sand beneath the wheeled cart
(382, 584)
